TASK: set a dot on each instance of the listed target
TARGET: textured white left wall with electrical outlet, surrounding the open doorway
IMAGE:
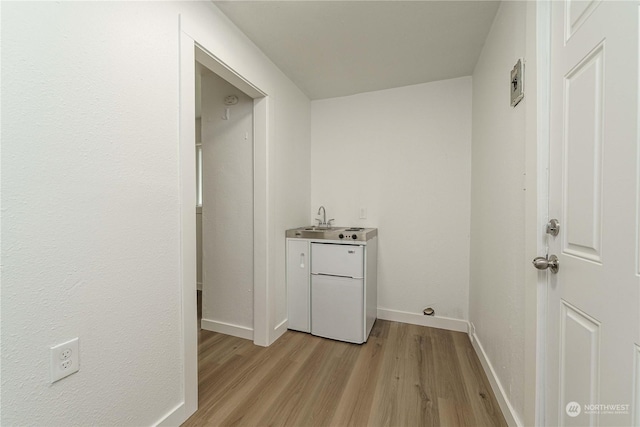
(90, 201)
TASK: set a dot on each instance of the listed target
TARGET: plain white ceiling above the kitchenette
(338, 48)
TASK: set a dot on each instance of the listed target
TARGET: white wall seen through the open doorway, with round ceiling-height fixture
(227, 207)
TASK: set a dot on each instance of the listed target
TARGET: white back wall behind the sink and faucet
(405, 155)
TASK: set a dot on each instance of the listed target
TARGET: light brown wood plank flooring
(405, 375)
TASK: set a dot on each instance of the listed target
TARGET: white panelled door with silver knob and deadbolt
(593, 322)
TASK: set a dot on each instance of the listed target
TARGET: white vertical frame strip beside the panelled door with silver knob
(538, 150)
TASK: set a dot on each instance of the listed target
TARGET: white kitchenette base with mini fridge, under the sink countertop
(332, 287)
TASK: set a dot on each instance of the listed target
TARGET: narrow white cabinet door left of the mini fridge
(298, 284)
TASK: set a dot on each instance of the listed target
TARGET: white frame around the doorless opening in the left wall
(194, 45)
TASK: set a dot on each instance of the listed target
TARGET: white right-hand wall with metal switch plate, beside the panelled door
(501, 219)
